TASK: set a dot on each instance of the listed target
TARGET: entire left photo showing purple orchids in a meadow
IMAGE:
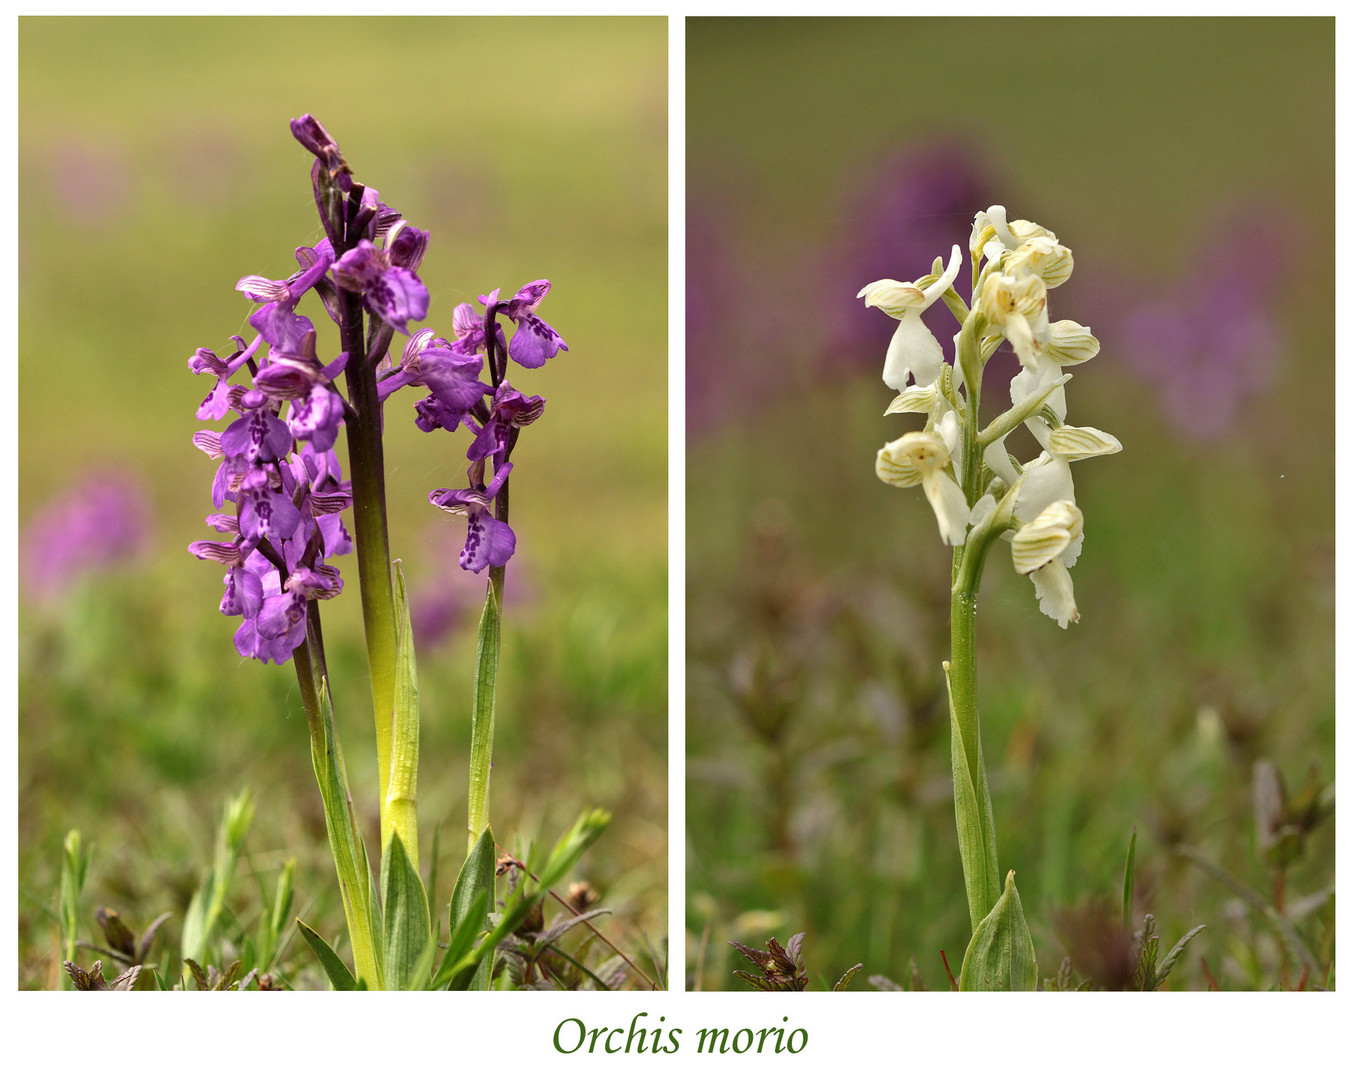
(305, 702)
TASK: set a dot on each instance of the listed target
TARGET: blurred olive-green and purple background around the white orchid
(1190, 166)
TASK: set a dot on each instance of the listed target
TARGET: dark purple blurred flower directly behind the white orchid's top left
(895, 220)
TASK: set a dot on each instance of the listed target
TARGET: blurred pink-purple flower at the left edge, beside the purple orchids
(98, 524)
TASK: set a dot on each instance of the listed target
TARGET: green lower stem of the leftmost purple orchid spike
(344, 838)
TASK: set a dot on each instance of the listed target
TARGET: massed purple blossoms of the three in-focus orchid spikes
(279, 472)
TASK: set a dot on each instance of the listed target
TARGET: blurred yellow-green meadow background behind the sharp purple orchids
(156, 168)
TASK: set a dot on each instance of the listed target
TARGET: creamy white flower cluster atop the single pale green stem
(967, 473)
